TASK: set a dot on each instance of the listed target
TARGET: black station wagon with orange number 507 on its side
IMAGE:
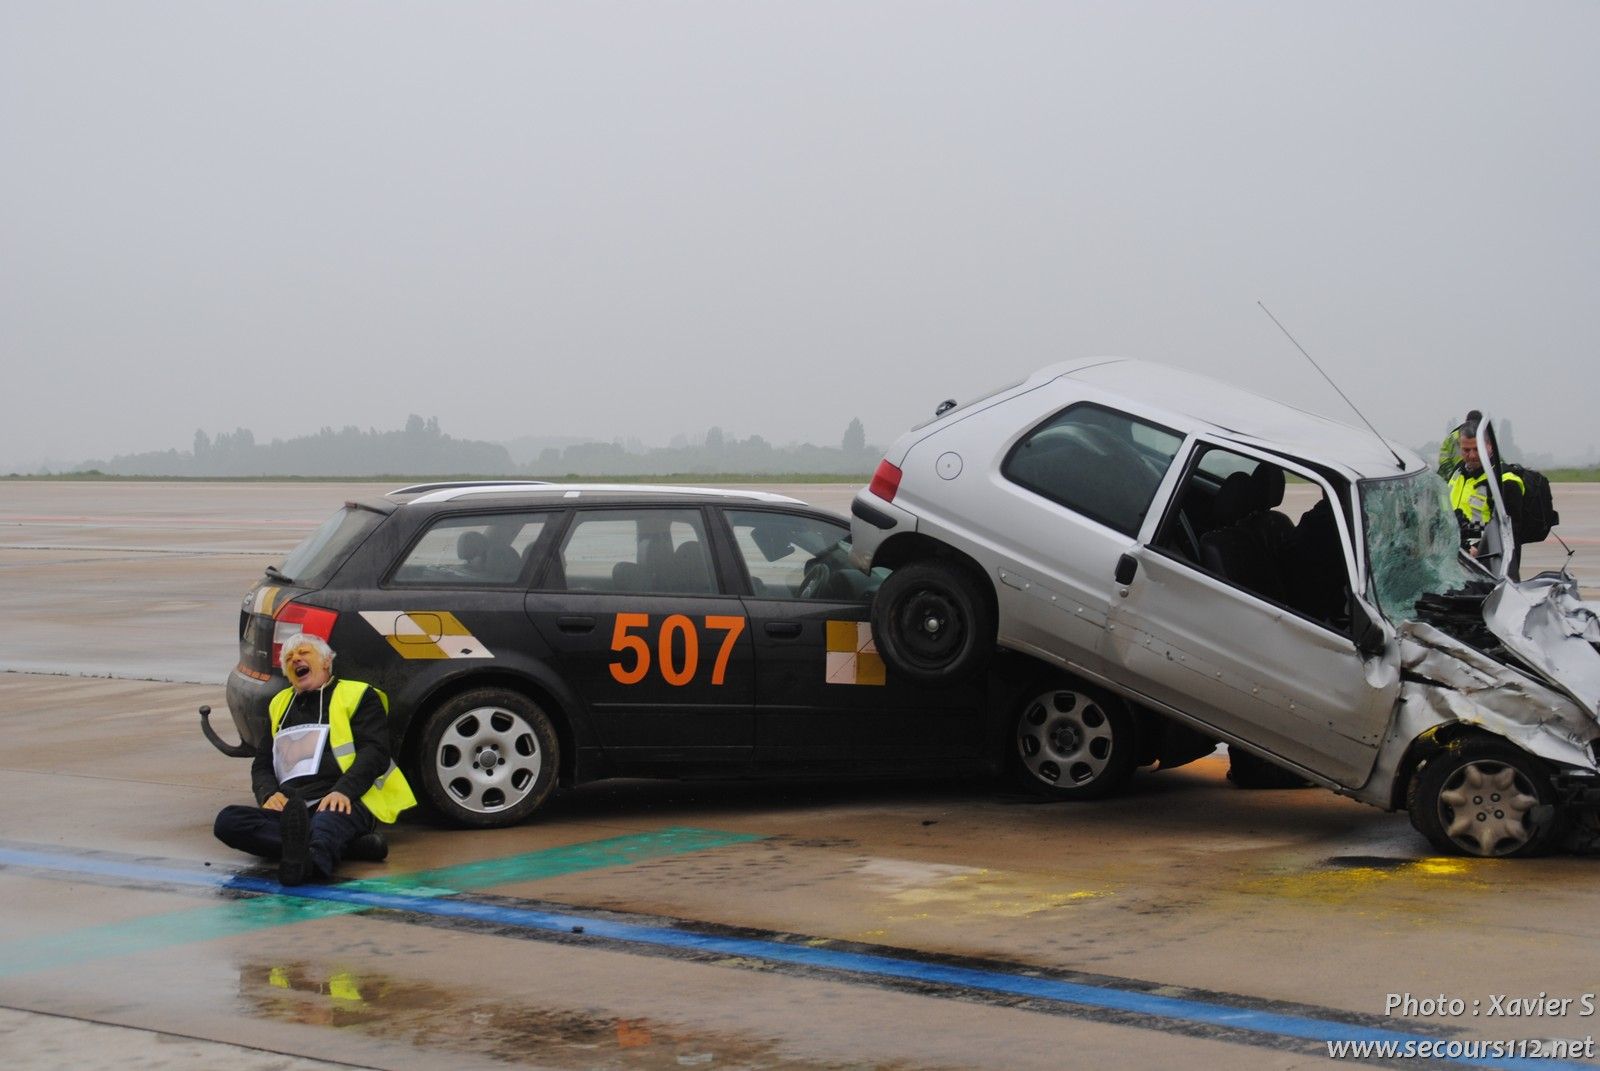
(540, 635)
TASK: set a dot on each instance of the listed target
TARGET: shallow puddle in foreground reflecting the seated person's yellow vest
(433, 1017)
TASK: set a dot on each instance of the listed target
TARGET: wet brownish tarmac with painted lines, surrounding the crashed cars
(679, 926)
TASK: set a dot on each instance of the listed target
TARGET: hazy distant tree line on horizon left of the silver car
(422, 449)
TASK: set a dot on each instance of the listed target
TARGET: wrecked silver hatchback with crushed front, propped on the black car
(1134, 526)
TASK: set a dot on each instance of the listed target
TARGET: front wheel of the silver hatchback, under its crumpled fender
(1479, 798)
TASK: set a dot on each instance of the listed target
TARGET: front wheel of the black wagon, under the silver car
(1073, 742)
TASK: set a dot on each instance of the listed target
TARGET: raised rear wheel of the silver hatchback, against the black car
(932, 622)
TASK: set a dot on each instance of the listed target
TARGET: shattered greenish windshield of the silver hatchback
(1414, 542)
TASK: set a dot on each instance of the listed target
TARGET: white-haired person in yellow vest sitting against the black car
(327, 782)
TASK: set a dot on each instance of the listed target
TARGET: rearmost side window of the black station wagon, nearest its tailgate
(479, 550)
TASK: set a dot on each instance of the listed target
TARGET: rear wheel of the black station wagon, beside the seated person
(489, 758)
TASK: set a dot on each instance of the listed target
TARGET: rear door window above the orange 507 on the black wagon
(642, 552)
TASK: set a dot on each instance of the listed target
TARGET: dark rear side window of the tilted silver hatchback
(1095, 462)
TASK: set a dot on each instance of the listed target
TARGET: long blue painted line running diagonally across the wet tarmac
(428, 902)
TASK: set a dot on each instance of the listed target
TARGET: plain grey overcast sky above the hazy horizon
(618, 220)
